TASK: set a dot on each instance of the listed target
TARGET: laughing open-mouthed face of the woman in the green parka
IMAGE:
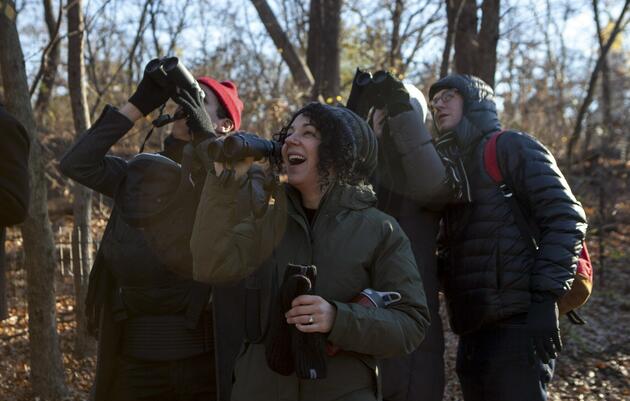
(300, 154)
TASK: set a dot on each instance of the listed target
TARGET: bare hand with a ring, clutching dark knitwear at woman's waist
(311, 314)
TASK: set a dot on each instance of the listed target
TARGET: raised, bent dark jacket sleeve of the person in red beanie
(87, 161)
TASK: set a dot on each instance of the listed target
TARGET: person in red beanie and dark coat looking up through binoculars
(155, 333)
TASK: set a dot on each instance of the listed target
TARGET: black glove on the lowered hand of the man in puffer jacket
(542, 324)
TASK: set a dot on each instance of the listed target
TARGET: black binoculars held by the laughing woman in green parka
(242, 145)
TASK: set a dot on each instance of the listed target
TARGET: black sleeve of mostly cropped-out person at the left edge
(14, 188)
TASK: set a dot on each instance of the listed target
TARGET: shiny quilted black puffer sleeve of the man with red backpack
(558, 216)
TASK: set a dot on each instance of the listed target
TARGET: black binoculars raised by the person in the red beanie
(169, 73)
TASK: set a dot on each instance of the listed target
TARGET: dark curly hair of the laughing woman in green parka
(336, 150)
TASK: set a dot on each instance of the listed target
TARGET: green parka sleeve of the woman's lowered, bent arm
(399, 328)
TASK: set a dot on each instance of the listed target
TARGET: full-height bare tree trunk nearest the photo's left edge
(47, 375)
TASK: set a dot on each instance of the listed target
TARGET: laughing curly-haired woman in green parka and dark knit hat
(325, 216)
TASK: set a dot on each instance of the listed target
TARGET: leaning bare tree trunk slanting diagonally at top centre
(299, 71)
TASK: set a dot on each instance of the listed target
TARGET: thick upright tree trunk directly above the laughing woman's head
(323, 48)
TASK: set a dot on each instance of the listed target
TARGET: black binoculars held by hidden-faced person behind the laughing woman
(369, 91)
